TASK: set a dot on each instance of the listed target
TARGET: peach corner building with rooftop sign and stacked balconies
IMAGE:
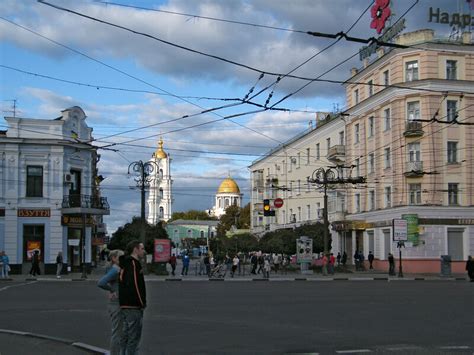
(416, 169)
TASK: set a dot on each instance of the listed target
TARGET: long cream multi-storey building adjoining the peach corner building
(284, 171)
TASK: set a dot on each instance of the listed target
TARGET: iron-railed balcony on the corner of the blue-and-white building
(85, 204)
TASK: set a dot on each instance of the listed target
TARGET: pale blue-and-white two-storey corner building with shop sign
(49, 192)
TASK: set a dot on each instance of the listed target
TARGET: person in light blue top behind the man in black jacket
(110, 282)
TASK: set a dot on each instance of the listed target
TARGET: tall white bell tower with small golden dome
(160, 198)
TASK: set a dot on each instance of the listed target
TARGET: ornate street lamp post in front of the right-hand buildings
(329, 177)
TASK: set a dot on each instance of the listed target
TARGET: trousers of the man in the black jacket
(132, 330)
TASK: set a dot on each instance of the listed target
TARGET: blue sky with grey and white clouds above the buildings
(52, 59)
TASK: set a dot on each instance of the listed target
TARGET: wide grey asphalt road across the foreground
(432, 317)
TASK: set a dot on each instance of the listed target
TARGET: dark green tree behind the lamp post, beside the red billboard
(131, 231)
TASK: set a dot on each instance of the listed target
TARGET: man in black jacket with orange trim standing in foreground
(132, 296)
